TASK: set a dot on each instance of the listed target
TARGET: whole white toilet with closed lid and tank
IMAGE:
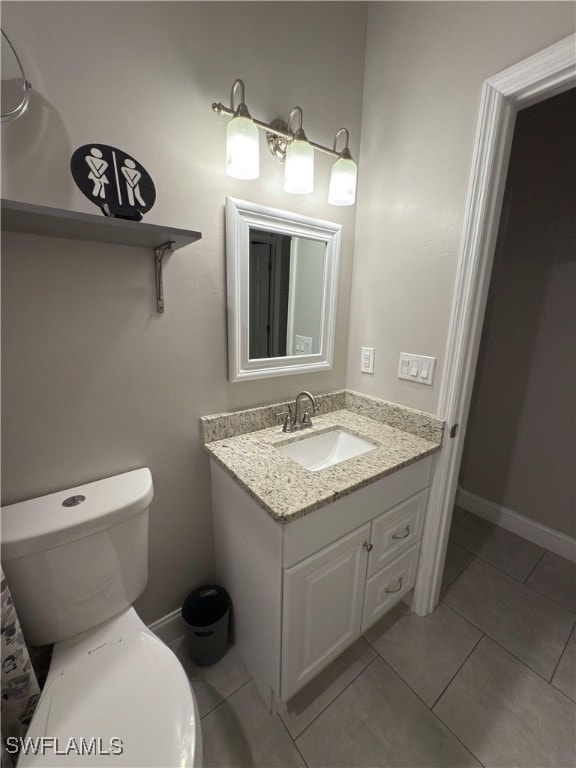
(115, 695)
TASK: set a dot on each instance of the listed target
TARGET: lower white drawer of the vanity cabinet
(389, 585)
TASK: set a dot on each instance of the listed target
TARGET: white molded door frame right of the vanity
(538, 77)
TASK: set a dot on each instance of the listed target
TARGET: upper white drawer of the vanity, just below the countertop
(396, 531)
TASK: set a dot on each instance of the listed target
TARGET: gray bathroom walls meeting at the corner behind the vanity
(94, 381)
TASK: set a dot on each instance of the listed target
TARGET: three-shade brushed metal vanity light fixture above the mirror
(291, 147)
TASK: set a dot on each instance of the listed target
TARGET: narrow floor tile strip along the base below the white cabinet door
(308, 703)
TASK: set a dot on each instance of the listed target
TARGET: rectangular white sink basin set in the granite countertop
(325, 450)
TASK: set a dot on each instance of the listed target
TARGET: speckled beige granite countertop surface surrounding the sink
(287, 490)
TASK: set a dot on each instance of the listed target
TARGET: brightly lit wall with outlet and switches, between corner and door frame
(425, 66)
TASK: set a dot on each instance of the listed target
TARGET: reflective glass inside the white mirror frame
(286, 294)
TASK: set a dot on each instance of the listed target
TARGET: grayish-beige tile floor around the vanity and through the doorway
(489, 679)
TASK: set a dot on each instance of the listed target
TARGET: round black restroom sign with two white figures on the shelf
(113, 180)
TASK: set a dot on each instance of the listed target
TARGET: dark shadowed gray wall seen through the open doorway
(520, 447)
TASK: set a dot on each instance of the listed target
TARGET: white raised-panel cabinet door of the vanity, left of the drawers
(322, 613)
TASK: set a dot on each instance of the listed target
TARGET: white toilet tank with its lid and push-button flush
(75, 558)
